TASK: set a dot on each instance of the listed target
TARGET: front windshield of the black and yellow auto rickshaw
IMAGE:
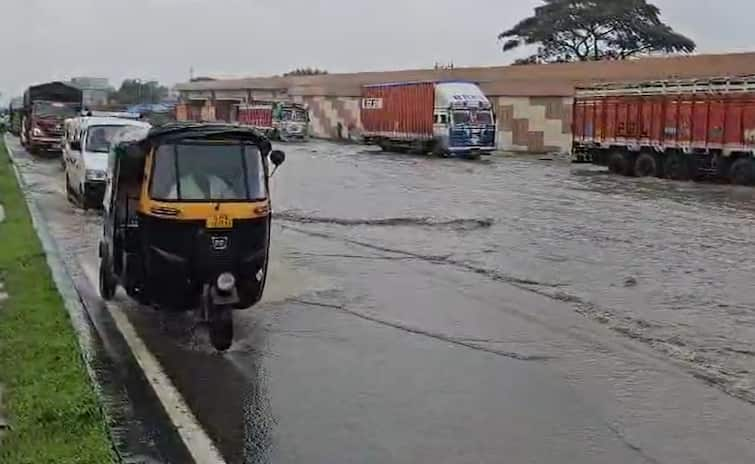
(208, 172)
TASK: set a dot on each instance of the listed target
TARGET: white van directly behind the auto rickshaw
(86, 145)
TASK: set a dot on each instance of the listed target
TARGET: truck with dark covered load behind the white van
(46, 107)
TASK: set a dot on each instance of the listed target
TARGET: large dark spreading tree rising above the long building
(585, 30)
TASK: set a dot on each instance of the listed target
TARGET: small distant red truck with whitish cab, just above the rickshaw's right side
(283, 121)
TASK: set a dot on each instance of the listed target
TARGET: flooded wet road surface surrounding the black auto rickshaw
(510, 310)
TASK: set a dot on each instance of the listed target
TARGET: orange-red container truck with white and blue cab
(443, 118)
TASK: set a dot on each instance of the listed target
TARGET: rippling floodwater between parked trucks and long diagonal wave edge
(663, 262)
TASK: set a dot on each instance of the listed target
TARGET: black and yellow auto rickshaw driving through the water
(187, 221)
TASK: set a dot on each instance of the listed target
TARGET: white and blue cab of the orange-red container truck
(464, 122)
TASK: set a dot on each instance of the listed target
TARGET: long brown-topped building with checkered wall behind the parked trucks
(533, 103)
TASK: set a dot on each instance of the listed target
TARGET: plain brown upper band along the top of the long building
(524, 80)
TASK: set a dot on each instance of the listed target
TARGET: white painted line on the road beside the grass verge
(199, 444)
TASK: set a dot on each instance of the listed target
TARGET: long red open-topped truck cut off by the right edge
(678, 129)
